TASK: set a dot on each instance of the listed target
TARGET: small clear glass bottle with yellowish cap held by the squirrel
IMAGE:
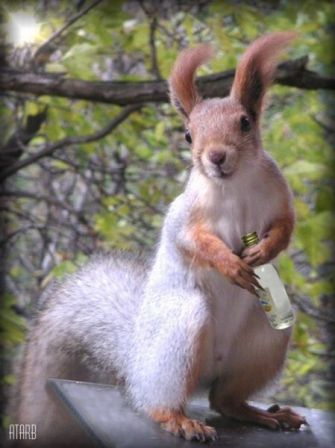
(273, 298)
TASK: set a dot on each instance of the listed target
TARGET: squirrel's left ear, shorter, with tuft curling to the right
(183, 92)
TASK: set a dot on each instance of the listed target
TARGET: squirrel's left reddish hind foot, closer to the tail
(178, 424)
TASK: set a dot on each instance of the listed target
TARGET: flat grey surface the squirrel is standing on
(108, 419)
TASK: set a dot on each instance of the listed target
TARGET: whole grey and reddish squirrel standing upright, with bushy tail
(188, 317)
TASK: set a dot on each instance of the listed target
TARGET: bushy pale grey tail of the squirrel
(82, 334)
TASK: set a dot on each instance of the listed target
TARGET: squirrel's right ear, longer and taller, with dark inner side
(256, 69)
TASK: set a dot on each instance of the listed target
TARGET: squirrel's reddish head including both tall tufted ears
(224, 132)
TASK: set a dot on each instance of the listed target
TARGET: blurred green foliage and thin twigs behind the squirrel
(113, 192)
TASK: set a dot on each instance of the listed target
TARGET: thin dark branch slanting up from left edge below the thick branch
(48, 149)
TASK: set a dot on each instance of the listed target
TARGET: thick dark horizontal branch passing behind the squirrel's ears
(290, 73)
